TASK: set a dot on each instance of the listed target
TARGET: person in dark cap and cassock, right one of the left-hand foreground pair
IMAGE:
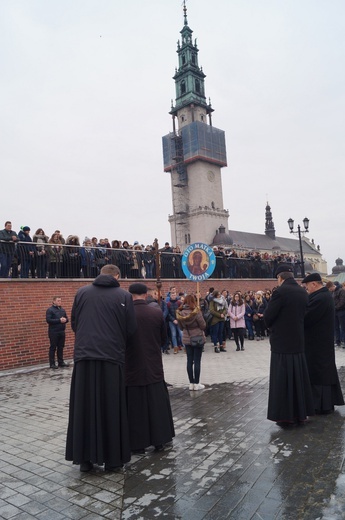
(148, 403)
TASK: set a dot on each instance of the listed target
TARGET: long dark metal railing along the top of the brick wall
(32, 260)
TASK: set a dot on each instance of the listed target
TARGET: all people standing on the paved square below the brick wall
(119, 403)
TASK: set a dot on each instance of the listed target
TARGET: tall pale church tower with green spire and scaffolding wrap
(194, 153)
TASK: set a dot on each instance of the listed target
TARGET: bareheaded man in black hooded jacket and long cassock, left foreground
(103, 320)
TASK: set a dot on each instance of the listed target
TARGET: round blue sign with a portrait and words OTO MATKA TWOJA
(198, 262)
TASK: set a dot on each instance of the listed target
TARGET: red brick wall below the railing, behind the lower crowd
(23, 303)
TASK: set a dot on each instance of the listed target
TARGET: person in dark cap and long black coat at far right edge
(319, 346)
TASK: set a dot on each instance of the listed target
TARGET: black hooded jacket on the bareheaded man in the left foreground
(103, 320)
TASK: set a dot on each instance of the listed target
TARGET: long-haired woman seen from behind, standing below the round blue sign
(192, 323)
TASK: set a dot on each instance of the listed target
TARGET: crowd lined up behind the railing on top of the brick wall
(37, 255)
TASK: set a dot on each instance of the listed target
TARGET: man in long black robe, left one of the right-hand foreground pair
(290, 398)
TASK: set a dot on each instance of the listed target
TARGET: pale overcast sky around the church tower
(85, 91)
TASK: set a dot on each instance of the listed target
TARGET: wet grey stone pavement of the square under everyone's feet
(227, 460)
